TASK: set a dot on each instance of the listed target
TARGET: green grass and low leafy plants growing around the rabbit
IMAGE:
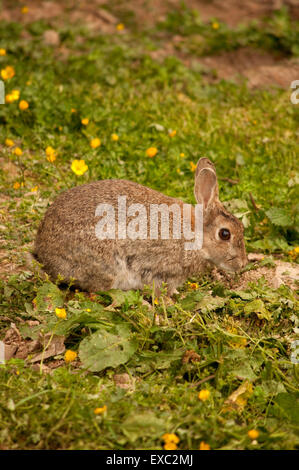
(242, 338)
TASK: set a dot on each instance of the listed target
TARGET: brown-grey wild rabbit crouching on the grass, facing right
(68, 247)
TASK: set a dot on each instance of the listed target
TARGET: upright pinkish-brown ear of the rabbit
(206, 186)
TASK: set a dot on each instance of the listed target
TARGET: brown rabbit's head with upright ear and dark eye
(223, 240)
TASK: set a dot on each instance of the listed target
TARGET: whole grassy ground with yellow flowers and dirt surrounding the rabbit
(195, 79)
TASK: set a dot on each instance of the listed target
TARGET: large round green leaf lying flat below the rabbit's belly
(107, 348)
